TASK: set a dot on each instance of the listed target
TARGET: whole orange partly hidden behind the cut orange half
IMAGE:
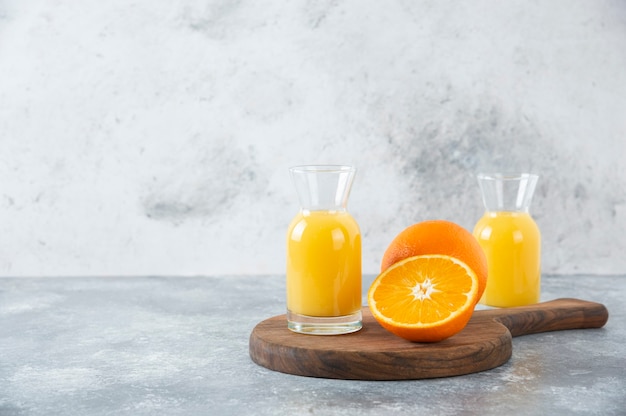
(439, 237)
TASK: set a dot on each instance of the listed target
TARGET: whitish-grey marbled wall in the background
(153, 137)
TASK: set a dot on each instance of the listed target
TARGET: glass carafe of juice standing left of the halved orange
(323, 254)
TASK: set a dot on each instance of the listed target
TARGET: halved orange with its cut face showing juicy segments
(424, 298)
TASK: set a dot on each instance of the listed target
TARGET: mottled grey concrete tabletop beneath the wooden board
(179, 346)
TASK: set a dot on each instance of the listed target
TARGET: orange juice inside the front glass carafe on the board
(324, 264)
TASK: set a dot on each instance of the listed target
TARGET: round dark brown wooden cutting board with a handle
(375, 354)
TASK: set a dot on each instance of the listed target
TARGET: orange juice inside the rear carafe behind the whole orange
(512, 244)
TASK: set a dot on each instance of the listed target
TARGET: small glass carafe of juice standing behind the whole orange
(510, 238)
